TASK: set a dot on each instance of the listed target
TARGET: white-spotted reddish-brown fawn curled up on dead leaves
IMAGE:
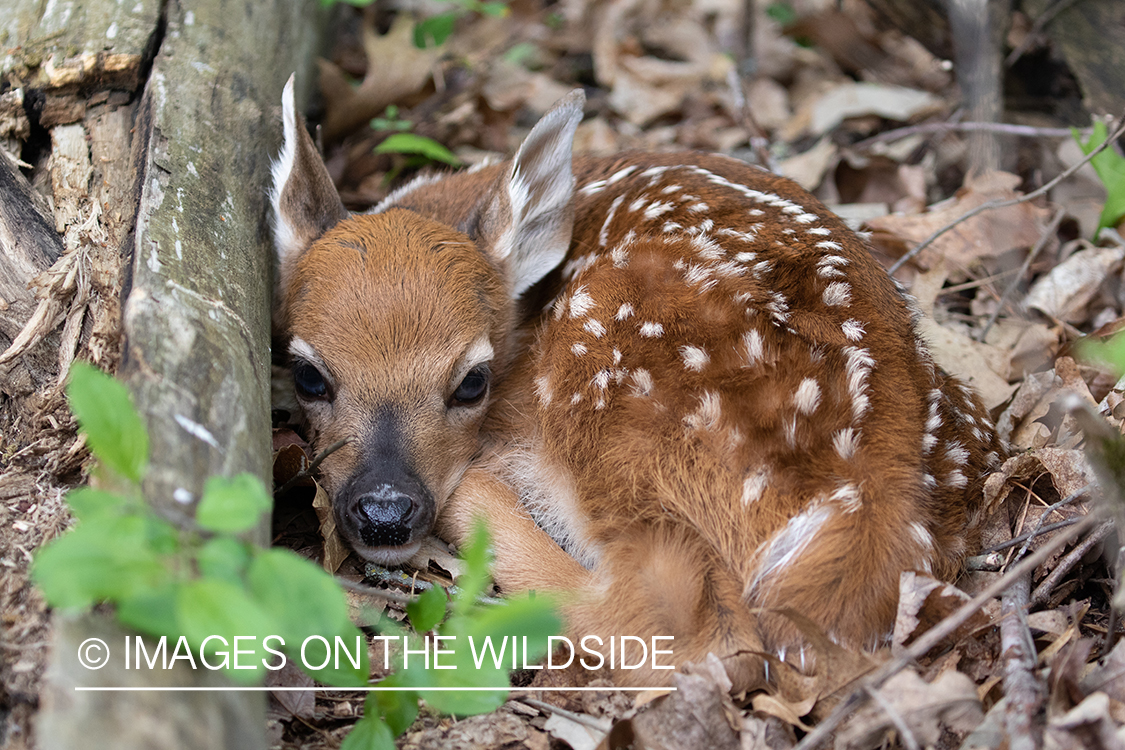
(673, 384)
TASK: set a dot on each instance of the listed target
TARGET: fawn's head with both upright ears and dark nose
(397, 324)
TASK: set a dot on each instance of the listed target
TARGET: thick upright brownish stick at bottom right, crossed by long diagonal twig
(1023, 691)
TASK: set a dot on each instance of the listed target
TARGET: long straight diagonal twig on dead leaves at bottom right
(940, 632)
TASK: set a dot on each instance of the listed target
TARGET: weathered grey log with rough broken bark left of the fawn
(175, 110)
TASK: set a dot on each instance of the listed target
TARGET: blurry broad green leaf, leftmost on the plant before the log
(104, 559)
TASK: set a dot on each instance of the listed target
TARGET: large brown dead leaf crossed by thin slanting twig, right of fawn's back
(985, 236)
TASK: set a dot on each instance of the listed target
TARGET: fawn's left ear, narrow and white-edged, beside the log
(305, 201)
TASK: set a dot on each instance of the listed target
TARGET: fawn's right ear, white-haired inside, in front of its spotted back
(529, 221)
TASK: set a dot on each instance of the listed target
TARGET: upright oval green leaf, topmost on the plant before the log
(112, 426)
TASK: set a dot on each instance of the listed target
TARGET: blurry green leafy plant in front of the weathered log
(188, 580)
